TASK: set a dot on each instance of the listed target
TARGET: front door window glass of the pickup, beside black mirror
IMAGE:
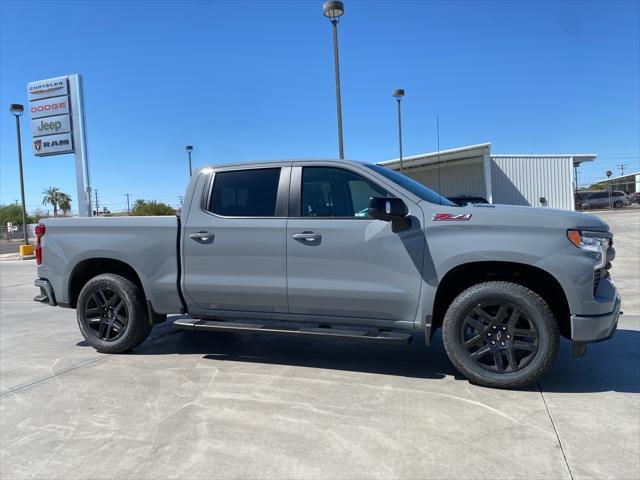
(334, 192)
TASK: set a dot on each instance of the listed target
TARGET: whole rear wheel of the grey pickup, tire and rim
(111, 314)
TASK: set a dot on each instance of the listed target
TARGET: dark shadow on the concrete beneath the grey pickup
(613, 365)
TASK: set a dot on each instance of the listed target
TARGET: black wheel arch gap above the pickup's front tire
(463, 276)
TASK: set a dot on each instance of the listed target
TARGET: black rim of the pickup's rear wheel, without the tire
(106, 314)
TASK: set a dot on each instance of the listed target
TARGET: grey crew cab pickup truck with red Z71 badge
(340, 249)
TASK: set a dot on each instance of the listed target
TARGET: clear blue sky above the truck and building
(249, 80)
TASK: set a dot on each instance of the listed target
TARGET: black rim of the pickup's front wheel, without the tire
(499, 337)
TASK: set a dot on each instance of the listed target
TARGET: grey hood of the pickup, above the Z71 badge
(532, 216)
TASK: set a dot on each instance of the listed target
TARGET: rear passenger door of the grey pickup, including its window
(234, 241)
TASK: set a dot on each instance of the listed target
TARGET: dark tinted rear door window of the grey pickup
(245, 193)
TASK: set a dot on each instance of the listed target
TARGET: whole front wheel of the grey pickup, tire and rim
(500, 335)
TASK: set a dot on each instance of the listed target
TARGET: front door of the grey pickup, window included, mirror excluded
(341, 262)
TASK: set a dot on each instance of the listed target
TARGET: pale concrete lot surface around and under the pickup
(195, 405)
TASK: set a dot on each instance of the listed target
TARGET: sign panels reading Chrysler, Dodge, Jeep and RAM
(50, 110)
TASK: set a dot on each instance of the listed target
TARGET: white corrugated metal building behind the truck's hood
(535, 180)
